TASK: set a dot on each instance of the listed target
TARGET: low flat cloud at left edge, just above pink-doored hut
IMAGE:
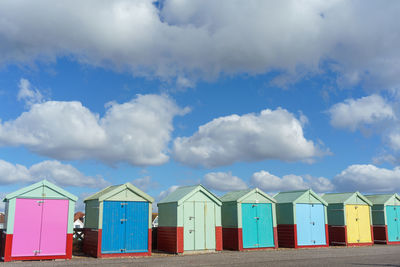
(54, 171)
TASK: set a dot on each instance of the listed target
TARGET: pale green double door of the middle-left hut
(199, 225)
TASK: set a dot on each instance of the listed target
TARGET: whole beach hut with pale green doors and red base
(189, 219)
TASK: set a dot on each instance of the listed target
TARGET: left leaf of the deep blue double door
(113, 233)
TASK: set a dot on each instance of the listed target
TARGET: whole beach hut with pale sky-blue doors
(301, 218)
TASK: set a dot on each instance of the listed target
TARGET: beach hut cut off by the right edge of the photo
(386, 218)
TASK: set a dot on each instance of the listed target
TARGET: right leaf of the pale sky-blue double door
(318, 231)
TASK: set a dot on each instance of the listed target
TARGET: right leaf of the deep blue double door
(137, 225)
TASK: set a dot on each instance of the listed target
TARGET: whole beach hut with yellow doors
(349, 219)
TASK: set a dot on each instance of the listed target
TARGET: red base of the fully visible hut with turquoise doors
(233, 239)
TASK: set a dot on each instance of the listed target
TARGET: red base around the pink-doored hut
(7, 247)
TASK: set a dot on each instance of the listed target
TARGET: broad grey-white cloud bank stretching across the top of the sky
(181, 39)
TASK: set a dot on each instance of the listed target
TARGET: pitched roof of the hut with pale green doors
(184, 192)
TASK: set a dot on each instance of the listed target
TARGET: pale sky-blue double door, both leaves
(310, 220)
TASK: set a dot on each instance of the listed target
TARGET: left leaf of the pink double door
(27, 225)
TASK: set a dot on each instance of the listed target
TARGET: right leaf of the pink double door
(53, 239)
